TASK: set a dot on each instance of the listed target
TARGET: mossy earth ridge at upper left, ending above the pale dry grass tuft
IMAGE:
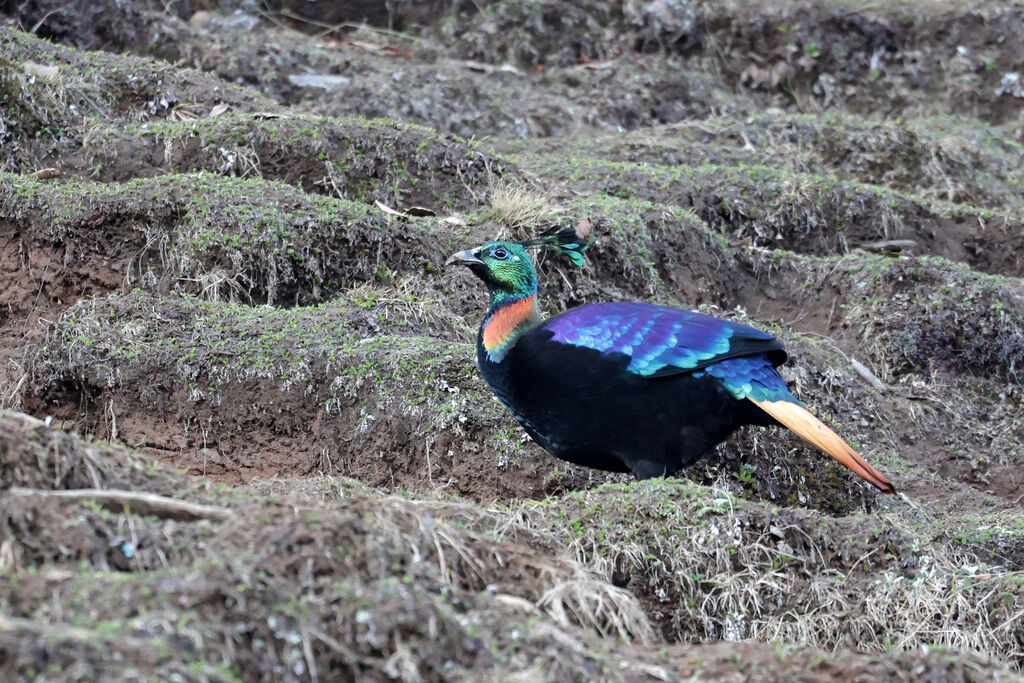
(364, 160)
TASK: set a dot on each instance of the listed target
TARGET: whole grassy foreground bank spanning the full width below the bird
(446, 586)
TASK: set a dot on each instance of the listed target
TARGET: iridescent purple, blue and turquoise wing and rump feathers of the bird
(664, 341)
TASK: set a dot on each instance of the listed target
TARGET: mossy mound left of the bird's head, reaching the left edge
(203, 234)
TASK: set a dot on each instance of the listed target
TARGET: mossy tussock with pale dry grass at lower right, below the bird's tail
(732, 573)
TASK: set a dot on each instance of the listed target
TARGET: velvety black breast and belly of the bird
(585, 407)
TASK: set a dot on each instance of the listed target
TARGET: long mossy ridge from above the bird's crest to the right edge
(805, 214)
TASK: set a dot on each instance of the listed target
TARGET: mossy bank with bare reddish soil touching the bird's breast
(356, 388)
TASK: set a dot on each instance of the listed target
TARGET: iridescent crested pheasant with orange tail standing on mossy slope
(630, 387)
